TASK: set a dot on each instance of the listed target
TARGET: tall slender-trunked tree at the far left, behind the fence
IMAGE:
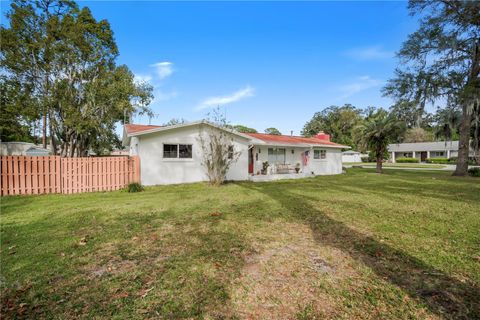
(28, 49)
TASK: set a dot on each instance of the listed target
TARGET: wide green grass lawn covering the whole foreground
(402, 245)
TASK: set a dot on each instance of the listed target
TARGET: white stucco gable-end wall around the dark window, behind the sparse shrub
(157, 170)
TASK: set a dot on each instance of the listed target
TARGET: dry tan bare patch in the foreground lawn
(288, 275)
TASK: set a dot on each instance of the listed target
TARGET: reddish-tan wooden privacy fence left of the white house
(53, 174)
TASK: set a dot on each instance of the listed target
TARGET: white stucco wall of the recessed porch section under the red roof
(331, 165)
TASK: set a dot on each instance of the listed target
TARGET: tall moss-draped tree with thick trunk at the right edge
(441, 60)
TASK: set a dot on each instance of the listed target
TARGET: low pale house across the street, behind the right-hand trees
(424, 150)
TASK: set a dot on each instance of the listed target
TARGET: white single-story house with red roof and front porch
(173, 154)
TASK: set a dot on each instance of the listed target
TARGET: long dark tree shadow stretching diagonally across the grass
(440, 293)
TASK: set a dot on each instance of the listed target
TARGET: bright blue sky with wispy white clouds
(266, 64)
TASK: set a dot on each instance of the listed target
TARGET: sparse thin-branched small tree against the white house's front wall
(218, 150)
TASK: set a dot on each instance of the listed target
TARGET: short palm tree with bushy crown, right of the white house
(378, 131)
